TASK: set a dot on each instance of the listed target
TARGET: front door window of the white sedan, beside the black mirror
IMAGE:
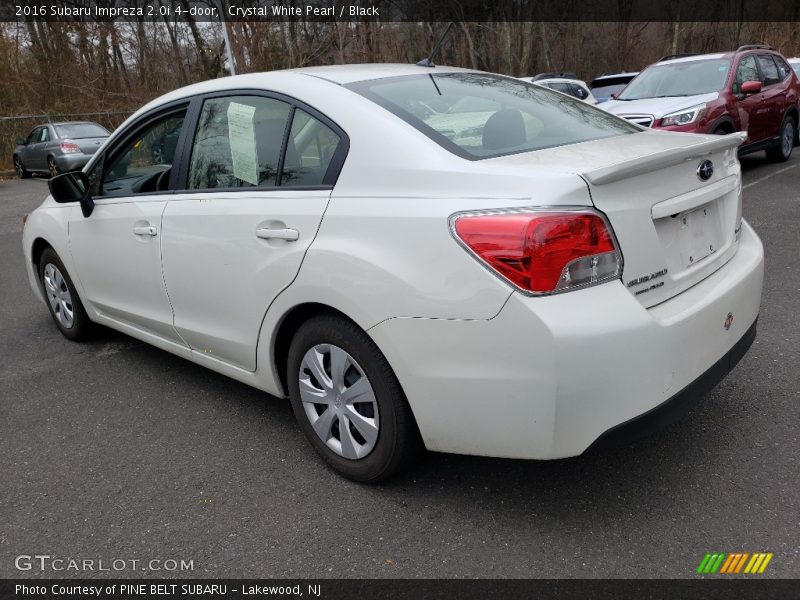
(144, 162)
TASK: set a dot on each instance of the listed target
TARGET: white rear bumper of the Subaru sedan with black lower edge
(549, 376)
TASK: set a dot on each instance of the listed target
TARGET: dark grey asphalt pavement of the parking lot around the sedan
(114, 450)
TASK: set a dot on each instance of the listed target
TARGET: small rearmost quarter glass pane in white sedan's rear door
(309, 151)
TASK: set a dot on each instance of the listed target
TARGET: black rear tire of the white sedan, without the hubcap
(398, 442)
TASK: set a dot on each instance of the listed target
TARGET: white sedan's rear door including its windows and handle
(258, 178)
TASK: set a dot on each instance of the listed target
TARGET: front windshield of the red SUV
(684, 78)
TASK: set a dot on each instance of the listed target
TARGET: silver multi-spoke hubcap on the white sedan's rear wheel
(339, 401)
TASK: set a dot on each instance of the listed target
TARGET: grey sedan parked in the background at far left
(58, 147)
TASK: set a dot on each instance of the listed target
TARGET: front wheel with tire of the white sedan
(62, 298)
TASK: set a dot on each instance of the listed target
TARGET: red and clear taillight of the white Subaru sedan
(543, 252)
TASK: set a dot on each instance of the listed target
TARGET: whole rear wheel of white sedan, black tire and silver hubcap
(348, 401)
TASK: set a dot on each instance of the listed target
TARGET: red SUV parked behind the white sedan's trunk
(753, 89)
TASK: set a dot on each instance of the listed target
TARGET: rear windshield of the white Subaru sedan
(476, 115)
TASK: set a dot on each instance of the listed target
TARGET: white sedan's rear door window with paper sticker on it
(238, 143)
